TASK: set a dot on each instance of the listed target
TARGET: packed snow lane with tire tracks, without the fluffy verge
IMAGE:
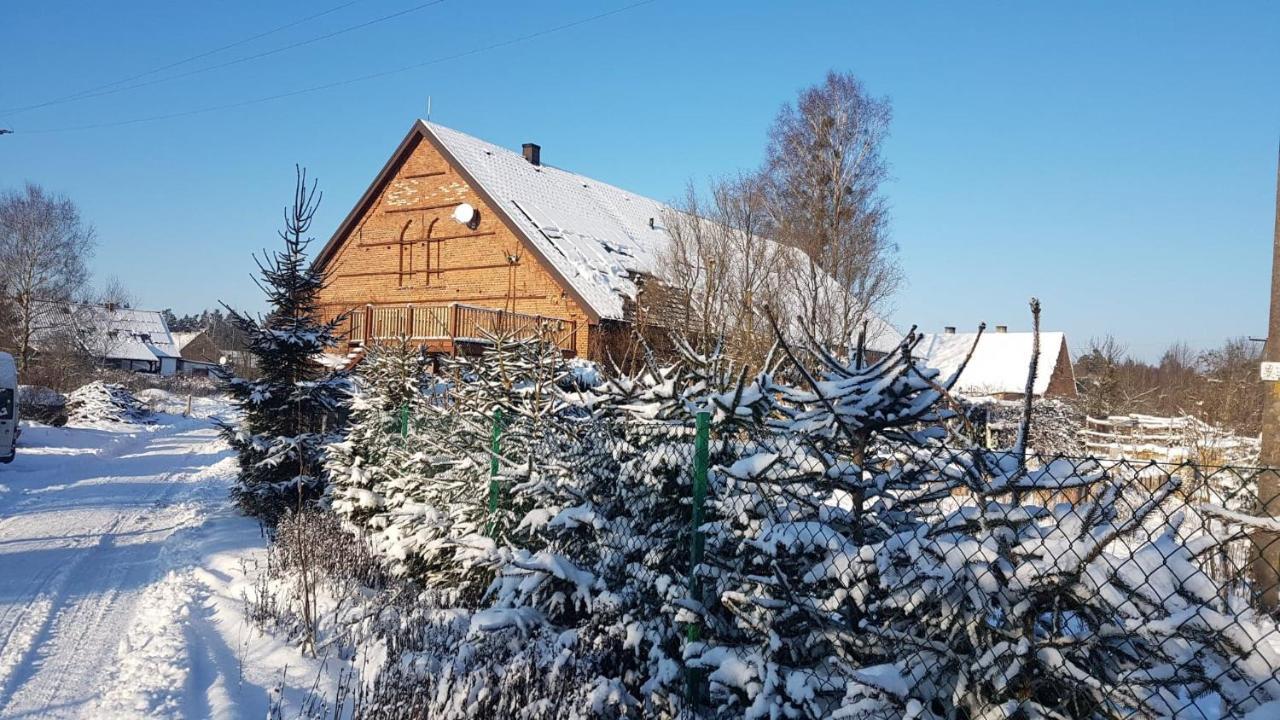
(71, 618)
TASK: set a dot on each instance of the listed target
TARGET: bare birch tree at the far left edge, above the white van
(44, 247)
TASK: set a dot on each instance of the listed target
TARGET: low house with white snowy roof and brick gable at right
(1000, 363)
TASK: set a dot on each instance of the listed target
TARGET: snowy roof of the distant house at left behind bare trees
(113, 334)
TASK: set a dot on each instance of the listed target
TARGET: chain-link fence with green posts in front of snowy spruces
(927, 582)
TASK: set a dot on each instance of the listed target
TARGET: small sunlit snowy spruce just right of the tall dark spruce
(363, 467)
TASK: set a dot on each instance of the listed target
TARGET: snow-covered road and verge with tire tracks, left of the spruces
(122, 578)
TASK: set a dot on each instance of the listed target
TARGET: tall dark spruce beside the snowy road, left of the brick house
(290, 412)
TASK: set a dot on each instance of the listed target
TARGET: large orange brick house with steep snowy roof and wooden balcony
(456, 238)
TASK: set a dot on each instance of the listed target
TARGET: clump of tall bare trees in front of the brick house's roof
(806, 235)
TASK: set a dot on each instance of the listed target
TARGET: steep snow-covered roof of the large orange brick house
(597, 236)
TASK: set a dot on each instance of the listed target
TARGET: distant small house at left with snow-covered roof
(116, 338)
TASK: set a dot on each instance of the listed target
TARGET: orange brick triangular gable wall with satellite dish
(401, 245)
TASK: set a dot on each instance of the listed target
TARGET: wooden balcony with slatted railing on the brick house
(451, 329)
